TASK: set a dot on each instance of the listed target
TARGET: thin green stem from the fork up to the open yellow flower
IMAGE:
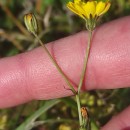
(85, 61)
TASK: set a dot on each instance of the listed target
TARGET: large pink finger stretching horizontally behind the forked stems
(32, 76)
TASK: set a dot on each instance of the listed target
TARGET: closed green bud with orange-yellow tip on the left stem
(31, 23)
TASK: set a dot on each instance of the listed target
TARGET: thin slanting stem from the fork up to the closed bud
(56, 65)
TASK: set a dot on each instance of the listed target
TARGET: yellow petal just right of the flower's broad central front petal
(100, 8)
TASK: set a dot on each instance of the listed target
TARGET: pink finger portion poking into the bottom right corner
(119, 122)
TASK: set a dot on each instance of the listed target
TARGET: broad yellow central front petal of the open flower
(90, 8)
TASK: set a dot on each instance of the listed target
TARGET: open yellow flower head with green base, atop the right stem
(89, 10)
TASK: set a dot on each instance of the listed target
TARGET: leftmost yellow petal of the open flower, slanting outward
(75, 8)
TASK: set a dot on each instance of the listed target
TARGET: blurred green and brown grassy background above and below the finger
(55, 22)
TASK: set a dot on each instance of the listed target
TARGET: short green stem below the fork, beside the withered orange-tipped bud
(79, 109)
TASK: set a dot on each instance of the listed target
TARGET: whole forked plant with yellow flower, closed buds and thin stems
(90, 11)
